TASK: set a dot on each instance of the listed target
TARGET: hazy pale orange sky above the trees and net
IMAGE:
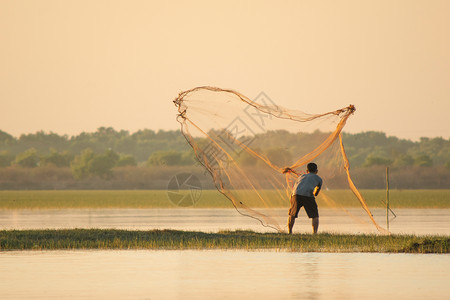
(73, 66)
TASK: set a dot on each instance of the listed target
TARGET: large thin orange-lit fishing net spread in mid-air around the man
(255, 149)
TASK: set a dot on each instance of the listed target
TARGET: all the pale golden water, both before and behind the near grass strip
(218, 274)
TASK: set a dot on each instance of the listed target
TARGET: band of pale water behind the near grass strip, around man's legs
(410, 221)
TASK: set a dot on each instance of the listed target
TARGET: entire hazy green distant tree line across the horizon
(98, 154)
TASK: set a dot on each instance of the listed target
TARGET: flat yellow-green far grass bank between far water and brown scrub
(208, 199)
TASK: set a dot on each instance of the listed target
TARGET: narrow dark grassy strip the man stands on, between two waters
(247, 240)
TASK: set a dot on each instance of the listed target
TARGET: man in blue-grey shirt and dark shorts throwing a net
(305, 189)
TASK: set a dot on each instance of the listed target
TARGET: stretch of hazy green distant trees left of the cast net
(95, 153)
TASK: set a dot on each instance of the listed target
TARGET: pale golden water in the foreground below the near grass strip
(216, 274)
